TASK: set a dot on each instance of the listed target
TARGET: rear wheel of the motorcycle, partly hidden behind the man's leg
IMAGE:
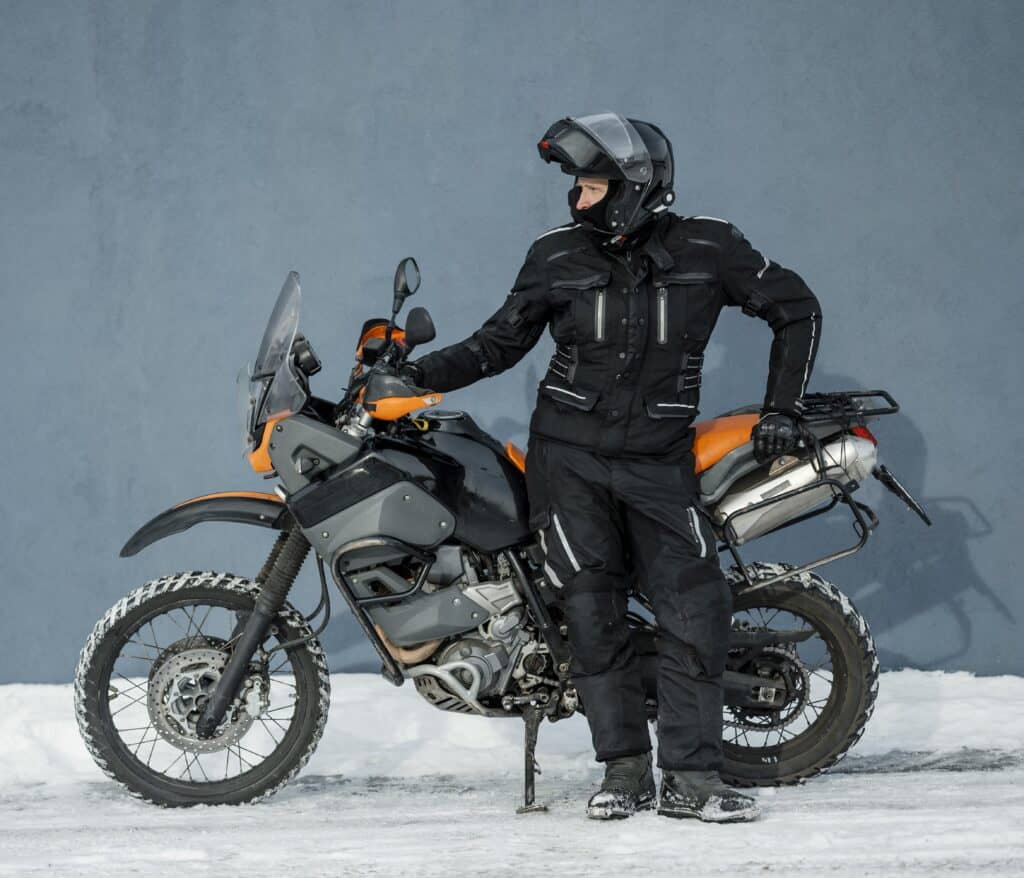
(832, 680)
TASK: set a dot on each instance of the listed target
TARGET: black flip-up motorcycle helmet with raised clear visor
(634, 153)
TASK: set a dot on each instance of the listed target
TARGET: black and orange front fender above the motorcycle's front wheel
(247, 508)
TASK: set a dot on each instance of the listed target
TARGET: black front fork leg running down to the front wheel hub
(276, 580)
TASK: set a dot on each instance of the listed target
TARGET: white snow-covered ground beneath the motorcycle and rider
(936, 786)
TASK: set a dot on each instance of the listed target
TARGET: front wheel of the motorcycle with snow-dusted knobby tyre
(152, 663)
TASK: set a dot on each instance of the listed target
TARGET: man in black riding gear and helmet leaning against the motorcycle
(631, 294)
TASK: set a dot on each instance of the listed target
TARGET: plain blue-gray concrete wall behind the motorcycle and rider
(164, 164)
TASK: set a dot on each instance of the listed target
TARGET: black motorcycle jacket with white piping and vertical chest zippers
(630, 329)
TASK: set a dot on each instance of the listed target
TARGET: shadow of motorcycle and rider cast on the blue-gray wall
(911, 582)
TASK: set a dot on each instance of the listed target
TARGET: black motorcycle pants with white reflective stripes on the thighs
(610, 522)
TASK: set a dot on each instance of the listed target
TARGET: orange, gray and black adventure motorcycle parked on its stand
(211, 688)
